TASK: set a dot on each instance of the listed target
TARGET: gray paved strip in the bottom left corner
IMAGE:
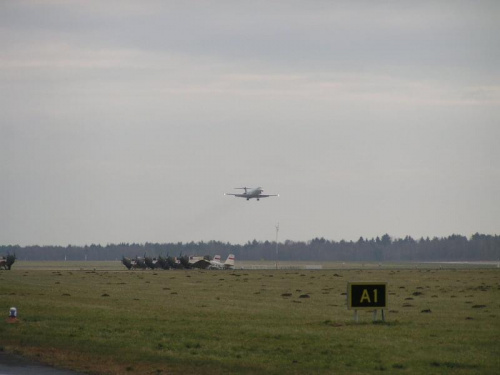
(15, 365)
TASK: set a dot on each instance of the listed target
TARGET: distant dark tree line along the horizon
(479, 247)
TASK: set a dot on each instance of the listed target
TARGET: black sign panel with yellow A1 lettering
(366, 296)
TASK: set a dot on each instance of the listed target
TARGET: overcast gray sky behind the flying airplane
(127, 121)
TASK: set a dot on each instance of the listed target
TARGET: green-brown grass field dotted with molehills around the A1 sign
(99, 318)
